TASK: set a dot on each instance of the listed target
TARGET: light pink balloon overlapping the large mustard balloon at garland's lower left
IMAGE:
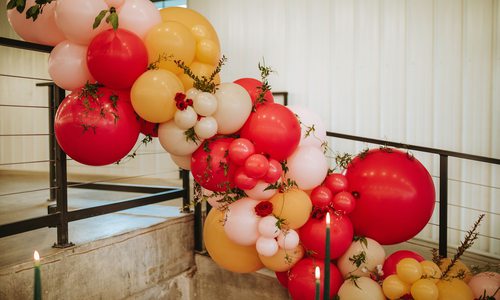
(241, 224)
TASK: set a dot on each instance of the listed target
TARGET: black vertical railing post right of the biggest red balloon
(443, 205)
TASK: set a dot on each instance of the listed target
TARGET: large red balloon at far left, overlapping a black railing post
(96, 131)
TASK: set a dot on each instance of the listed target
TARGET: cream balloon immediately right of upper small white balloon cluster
(234, 105)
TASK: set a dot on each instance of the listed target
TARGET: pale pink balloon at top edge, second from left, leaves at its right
(75, 18)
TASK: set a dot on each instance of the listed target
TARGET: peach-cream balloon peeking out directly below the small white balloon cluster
(173, 139)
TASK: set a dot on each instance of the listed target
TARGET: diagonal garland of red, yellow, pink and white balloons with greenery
(131, 68)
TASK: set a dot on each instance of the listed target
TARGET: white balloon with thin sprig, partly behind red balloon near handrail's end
(308, 119)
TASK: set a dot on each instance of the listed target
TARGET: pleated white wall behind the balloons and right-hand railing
(423, 72)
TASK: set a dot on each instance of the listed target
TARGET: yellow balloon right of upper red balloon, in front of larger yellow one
(169, 41)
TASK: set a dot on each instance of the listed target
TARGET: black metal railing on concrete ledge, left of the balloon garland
(58, 214)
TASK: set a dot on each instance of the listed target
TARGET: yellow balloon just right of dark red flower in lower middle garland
(294, 206)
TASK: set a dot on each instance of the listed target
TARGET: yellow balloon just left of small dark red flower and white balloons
(153, 93)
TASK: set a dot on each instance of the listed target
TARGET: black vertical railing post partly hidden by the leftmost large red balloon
(62, 184)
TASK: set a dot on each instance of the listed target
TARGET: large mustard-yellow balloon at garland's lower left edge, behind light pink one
(227, 254)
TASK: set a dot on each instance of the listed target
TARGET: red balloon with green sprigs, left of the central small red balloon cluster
(210, 165)
